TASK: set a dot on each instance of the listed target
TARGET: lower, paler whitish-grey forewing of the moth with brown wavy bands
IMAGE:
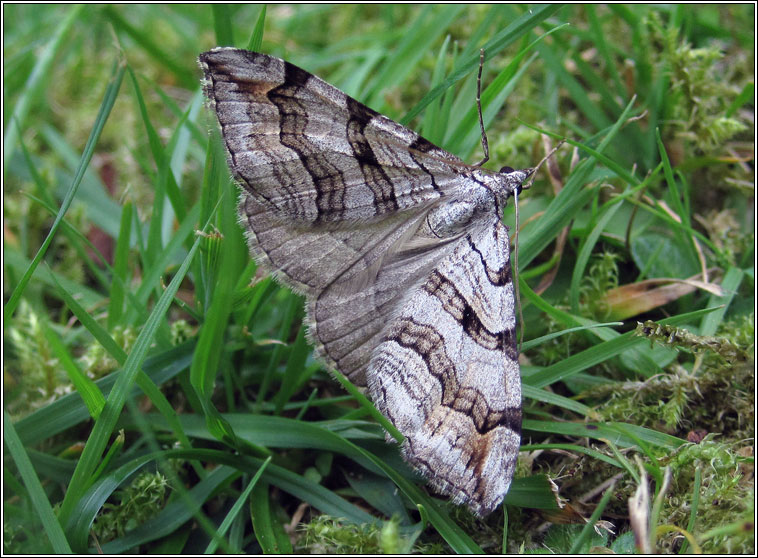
(446, 372)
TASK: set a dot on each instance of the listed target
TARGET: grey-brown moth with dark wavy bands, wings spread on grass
(399, 250)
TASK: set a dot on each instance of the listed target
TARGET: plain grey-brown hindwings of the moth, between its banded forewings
(354, 286)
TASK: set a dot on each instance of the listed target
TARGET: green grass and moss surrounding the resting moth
(160, 394)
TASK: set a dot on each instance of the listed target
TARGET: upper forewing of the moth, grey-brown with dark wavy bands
(310, 152)
